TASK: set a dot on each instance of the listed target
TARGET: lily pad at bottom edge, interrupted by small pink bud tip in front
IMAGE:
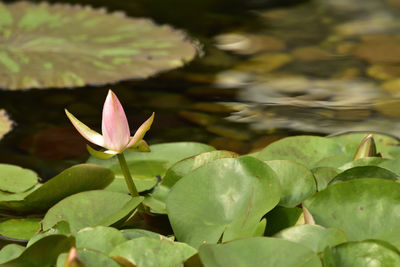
(89, 258)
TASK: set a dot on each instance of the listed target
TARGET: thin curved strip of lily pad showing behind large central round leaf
(176, 172)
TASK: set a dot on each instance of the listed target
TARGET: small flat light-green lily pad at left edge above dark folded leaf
(15, 179)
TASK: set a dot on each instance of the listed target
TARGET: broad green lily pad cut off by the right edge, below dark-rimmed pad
(357, 207)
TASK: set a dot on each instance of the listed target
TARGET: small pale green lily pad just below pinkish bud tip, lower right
(315, 237)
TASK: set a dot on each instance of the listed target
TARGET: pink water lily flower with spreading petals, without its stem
(115, 130)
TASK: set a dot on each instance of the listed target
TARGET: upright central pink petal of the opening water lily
(115, 126)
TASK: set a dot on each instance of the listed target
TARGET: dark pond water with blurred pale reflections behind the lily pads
(266, 71)
